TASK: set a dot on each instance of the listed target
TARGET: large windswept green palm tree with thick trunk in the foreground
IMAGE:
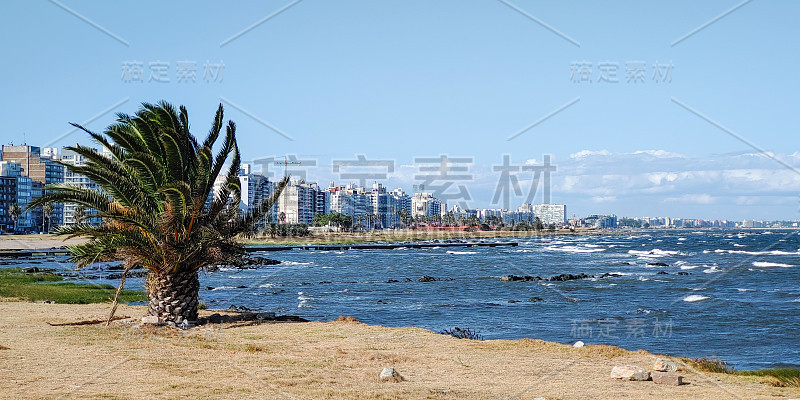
(158, 206)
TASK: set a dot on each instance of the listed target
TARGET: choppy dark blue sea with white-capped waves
(727, 294)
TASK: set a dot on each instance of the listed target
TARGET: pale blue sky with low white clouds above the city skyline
(399, 80)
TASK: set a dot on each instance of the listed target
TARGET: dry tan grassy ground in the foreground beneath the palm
(335, 360)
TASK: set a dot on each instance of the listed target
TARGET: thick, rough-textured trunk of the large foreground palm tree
(173, 296)
